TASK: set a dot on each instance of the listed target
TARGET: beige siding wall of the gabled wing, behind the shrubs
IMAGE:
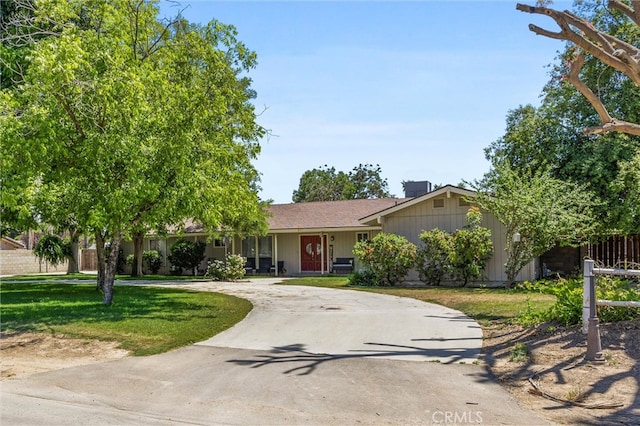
(410, 222)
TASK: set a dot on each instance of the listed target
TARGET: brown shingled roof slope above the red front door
(325, 214)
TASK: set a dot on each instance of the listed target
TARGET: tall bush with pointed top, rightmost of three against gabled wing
(472, 248)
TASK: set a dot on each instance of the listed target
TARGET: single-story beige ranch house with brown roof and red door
(309, 238)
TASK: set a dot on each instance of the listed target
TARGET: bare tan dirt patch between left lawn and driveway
(23, 354)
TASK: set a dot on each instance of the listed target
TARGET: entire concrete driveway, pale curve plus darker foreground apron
(304, 355)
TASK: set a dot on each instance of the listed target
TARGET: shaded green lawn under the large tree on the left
(145, 320)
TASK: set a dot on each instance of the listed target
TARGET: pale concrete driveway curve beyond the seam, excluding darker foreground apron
(347, 324)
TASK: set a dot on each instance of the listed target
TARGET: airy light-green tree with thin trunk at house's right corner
(538, 212)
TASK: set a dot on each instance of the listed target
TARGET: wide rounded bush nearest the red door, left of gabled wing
(388, 256)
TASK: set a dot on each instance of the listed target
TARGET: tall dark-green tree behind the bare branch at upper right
(551, 136)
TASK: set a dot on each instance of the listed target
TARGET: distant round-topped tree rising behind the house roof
(325, 184)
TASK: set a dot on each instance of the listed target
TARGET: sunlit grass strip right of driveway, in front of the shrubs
(482, 304)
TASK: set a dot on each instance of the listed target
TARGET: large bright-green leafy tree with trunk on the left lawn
(146, 122)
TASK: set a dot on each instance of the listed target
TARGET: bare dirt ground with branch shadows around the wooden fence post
(553, 358)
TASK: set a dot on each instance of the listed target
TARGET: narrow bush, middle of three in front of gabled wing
(433, 256)
